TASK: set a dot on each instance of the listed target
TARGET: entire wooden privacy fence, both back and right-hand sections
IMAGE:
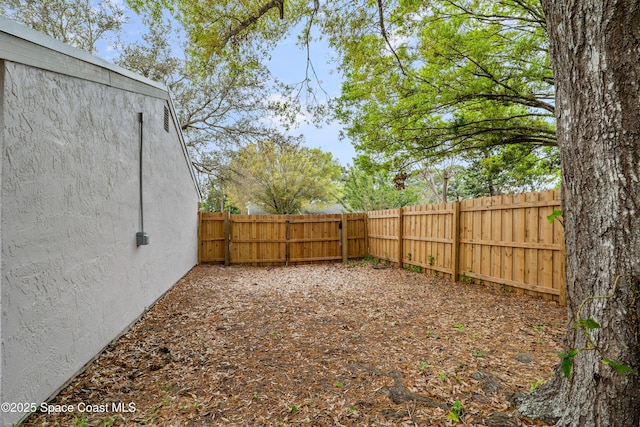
(505, 240)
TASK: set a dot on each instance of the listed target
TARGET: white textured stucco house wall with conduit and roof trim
(98, 209)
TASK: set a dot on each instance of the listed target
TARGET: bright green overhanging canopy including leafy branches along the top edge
(422, 78)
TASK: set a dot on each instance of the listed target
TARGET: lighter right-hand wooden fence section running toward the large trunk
(505, 240)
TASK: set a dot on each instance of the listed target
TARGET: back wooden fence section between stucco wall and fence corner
(277, 239)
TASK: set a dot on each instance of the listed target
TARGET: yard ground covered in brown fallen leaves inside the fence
(320, 345)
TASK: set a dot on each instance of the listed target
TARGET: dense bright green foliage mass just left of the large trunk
(435, 78)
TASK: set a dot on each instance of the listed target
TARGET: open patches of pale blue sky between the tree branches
(288, 63)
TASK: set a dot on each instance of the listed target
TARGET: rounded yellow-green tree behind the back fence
(282, 177)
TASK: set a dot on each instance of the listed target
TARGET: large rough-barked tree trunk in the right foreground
(595, 53)
